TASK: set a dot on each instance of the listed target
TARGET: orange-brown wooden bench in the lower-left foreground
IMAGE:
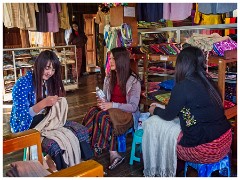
(17, 141)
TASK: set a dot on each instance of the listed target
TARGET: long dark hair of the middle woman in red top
(123, 70)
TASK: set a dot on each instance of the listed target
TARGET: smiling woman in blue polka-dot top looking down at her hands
(34, 95)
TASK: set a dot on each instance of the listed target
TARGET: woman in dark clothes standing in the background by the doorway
(79, 39)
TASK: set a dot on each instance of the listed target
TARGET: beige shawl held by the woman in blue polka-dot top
(52, 127)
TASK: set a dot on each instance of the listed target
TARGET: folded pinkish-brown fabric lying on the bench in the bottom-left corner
(27, 169)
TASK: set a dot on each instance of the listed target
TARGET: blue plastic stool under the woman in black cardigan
(205, 170)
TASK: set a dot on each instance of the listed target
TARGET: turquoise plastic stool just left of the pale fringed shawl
(137, 139)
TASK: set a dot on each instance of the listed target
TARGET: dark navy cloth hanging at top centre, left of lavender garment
(149, 12)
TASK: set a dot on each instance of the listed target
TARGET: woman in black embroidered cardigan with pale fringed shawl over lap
(199, 129)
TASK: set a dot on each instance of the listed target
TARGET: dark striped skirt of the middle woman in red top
(100, 129)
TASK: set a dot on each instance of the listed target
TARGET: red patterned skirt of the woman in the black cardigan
(208, 152)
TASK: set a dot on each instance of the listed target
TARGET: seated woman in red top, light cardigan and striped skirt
(118, 111)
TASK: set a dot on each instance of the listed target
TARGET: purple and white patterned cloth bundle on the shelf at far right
(222, 46)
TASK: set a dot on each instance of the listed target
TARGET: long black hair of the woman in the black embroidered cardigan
(191, 62)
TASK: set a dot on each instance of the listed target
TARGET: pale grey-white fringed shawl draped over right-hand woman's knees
(159, 144)
